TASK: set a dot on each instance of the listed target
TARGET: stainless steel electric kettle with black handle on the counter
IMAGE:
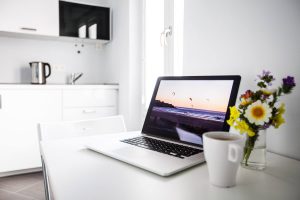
(38, 72)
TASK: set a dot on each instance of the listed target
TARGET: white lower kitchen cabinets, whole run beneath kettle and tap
(22, 107)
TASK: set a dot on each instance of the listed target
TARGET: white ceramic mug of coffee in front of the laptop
(223, 153)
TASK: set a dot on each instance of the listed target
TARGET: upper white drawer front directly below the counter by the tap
(90, 97)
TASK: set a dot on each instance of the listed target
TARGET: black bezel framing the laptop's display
(233, 96)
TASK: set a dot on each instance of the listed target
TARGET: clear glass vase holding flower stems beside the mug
(255, 151)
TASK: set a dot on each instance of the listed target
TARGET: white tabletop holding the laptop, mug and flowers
(78, 173)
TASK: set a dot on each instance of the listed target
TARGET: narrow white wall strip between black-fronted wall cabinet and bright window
(123, 56)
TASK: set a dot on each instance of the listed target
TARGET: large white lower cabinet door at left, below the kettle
(20, 112)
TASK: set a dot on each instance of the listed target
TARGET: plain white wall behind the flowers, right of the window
(245, 37)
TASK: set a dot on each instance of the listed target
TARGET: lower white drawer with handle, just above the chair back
(88, 113)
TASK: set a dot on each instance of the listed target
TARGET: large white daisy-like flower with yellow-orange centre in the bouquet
(258, 113)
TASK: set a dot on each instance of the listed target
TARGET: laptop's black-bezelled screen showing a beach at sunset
(183, 108)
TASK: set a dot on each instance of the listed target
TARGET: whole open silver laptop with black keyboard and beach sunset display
(180, 111)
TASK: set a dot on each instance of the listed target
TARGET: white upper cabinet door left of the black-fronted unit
(30, 16)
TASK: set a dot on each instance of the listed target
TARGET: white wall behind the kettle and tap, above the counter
(16, 53)
